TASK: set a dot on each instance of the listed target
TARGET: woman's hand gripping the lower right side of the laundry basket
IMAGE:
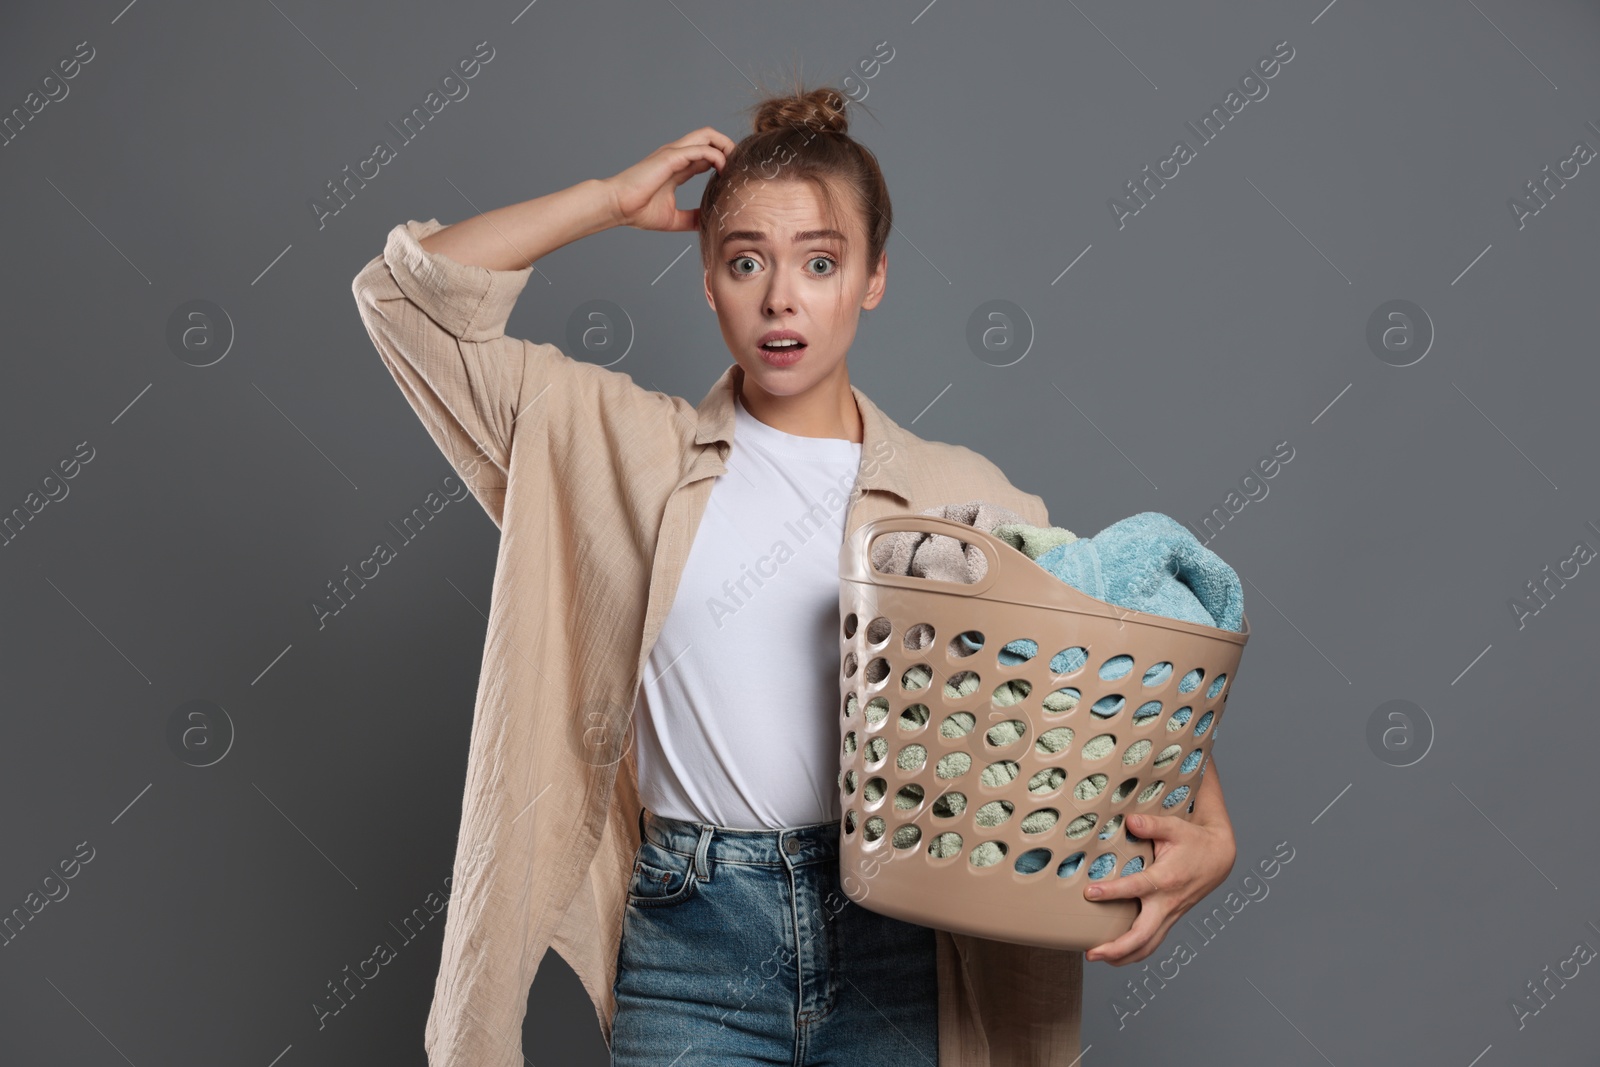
(1193, 857)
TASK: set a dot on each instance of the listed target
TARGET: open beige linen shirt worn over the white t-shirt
(598, 487)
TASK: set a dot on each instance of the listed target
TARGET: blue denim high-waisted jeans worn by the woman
(742, 948)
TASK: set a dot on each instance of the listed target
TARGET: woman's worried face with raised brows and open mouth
(762, 281)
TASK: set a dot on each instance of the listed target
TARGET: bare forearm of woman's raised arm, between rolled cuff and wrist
(519, 234)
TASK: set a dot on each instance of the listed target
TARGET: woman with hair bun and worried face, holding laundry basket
(673, 831)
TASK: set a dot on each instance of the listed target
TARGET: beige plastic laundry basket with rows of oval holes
(980, 797)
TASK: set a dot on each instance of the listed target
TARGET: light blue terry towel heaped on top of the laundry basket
(1148, 562)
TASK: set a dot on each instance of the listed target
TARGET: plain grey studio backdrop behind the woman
(1223, 319)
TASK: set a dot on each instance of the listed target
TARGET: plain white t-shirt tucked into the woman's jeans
(738, 714)
